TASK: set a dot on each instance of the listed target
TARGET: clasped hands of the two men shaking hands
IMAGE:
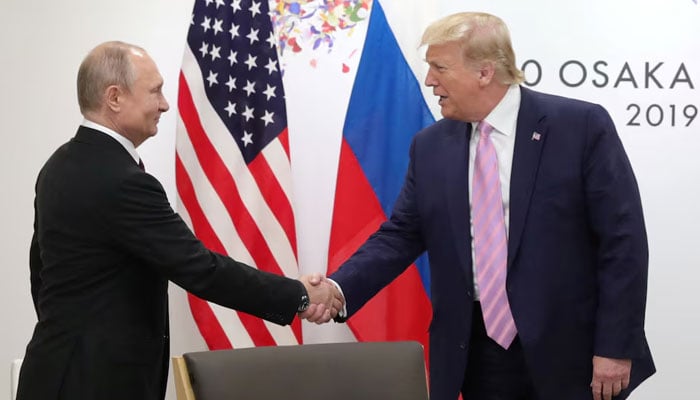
(325, 298)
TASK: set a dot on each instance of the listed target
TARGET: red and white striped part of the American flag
(243, 211)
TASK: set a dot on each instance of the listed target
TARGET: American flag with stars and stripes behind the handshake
(232, 160)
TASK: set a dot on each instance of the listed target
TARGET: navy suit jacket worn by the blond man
(577, 249)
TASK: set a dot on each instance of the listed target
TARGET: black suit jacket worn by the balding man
(106, 243)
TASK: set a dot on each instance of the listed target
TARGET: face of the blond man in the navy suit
(456, 83)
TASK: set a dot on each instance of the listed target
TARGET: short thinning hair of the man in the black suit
(106, 65)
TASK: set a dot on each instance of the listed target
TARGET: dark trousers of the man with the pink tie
(494, 373)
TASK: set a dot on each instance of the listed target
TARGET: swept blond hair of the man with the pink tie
(482, 37)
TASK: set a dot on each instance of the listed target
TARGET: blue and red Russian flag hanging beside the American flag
(385, 110)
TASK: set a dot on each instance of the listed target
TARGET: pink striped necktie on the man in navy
(490, 243)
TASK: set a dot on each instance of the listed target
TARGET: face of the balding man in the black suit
(142, 105)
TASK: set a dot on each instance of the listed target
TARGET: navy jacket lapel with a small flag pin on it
(531, 136)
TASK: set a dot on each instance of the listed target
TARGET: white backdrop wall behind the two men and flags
(637, 58)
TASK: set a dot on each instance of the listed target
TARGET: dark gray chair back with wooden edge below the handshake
(337, 371)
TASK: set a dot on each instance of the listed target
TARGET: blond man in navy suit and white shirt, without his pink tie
(577, 257)
